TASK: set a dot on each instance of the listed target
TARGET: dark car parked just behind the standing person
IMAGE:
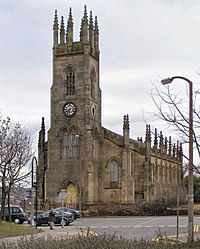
(43, 219)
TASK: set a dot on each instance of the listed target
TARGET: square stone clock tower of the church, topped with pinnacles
(75, 112)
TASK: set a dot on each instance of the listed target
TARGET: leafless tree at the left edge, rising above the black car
(15, 153)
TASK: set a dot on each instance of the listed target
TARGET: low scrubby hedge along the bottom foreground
(96, 242)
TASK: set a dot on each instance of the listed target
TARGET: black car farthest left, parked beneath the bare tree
(18, 216)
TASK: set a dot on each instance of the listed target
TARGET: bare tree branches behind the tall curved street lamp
(172, 108)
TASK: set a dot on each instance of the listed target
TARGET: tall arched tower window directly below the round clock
(70, 144)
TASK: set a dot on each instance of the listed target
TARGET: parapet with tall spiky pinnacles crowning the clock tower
(63, 41)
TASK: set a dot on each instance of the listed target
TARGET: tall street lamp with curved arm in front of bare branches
(190, 176)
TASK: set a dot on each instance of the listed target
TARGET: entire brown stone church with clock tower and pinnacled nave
(91, 164)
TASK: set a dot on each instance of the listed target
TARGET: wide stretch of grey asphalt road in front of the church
(136, 227)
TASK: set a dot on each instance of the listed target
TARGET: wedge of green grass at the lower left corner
(9, 229)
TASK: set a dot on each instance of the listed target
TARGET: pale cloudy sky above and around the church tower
(141, 41)
